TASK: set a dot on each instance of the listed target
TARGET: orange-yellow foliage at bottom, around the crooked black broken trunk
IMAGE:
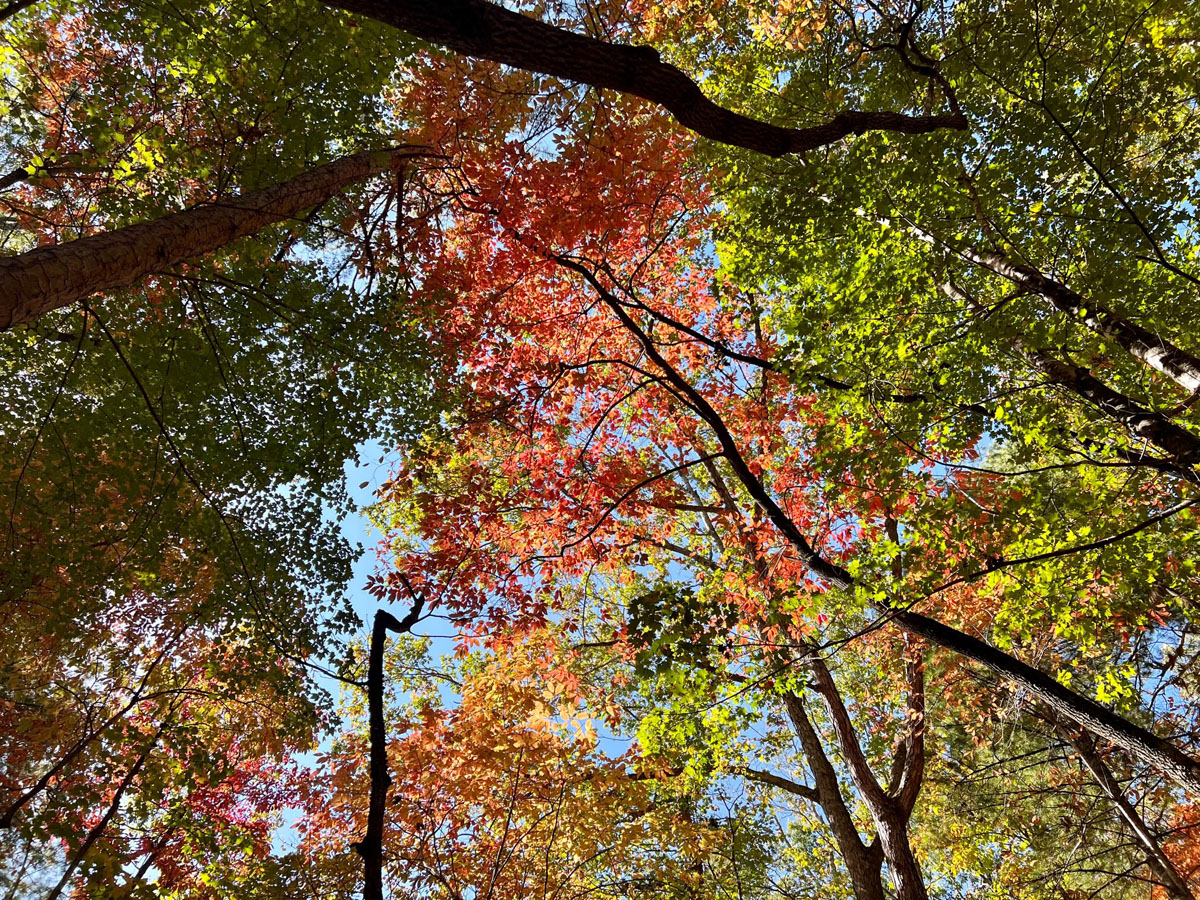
(506, 791)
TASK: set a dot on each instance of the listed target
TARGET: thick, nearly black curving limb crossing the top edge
(484, 31)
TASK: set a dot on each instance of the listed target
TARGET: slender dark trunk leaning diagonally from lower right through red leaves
(1105, 723)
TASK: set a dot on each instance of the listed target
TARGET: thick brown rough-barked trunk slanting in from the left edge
(51, 278)
